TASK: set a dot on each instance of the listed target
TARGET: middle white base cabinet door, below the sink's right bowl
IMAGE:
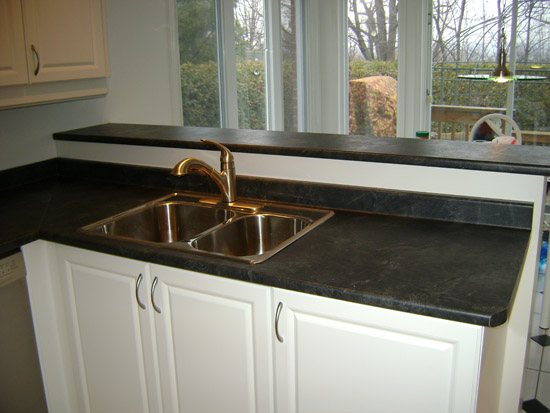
(214, 340)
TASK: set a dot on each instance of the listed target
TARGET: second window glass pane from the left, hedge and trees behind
(249, 56)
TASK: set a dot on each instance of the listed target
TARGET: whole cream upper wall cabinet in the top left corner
(51, 50)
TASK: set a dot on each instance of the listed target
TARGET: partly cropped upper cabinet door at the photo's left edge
(13, 60)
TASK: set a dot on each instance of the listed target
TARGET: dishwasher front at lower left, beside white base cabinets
(21, 387)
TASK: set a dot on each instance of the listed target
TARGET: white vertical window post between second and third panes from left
(273, 66)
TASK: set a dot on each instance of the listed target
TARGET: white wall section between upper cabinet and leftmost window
(143, 57)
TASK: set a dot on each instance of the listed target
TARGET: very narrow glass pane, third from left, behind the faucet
(288, 44)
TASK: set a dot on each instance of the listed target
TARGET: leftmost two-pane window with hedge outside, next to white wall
(223, 70)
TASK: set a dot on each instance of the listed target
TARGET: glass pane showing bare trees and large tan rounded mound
(372, 54)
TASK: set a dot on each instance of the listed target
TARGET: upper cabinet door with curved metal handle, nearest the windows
(65, 39)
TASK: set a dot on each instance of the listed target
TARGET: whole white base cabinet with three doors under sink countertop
(209, 344)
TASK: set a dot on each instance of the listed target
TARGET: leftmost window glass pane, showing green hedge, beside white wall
(198, 60)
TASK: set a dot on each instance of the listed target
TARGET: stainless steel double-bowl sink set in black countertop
(245, 231)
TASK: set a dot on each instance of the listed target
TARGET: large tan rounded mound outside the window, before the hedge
(373, 106)
